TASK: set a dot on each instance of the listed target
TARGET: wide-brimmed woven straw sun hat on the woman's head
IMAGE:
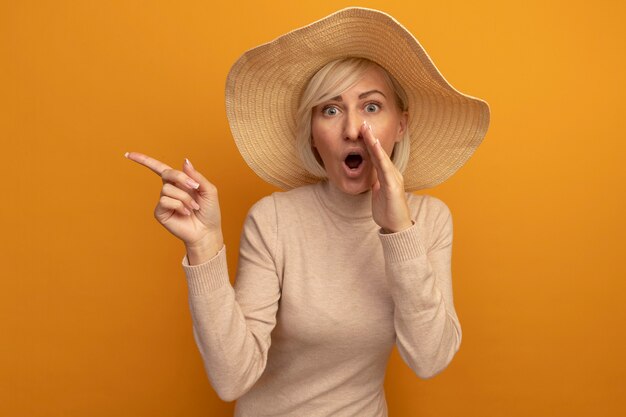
(264, 86)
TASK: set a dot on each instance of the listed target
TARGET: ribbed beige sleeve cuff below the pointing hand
(208, 276)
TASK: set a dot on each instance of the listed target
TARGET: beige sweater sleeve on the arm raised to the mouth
(419, 274)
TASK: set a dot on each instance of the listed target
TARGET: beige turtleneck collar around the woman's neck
(356, 207)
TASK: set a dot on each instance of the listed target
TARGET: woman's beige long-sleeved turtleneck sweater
(320, 298)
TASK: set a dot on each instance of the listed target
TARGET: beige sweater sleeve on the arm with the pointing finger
(232, 328)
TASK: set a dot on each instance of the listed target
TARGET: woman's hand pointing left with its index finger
(188, 207)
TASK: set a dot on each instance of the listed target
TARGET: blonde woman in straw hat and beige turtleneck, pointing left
(347, 114)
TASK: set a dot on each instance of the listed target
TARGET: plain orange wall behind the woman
(93, 311)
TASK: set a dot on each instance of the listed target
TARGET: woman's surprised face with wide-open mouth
(336, 130)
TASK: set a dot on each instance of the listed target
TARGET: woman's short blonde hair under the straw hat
(331, 81)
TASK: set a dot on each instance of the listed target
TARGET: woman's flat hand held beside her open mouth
(389, 207)
